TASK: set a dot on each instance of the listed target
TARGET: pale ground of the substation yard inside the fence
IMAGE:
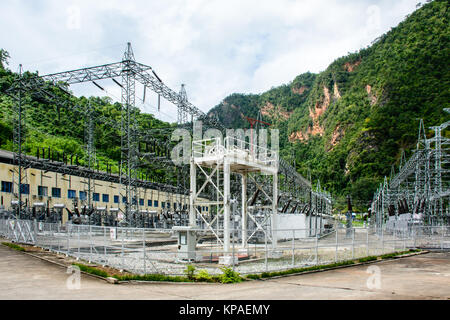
(161, 250)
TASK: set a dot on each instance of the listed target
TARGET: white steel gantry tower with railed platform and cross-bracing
(215, 162)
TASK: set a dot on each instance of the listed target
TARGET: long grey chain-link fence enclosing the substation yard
(146, 251)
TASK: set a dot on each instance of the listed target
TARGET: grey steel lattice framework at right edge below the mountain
(419, 193)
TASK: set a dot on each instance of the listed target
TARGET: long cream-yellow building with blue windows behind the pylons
(53, 188)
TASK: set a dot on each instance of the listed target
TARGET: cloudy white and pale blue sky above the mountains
(215, 47)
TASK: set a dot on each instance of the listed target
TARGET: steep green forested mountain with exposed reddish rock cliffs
(349, 124)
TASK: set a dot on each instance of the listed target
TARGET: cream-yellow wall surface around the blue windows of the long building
(36, 178)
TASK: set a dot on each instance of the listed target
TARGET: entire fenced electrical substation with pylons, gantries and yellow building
(236, 202)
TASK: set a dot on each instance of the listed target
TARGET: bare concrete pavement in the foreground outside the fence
(424, 276)
